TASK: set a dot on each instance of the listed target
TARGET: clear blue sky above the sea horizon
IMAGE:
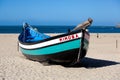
(59, 12)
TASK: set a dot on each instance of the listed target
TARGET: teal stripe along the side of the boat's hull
(54, 49)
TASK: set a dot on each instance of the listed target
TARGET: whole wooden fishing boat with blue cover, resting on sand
(68, 47)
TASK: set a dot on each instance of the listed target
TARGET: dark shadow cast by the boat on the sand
(90, 63)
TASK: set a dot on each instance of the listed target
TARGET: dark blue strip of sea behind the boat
(59, 29)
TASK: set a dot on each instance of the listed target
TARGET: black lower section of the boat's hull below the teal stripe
(65, 56)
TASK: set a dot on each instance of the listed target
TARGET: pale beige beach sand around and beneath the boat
(102, 62)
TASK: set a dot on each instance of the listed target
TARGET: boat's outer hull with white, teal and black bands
(65, 50)
